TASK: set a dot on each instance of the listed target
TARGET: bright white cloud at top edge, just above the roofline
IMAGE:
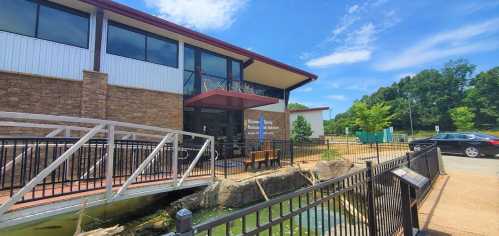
(199, 14)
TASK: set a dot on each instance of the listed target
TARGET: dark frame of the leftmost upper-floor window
(61, 8)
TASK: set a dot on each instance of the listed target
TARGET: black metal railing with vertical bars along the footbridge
(21, 159)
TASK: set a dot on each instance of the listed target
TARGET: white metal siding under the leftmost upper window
(25, 54)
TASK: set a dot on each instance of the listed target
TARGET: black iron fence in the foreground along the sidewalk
(367, 202)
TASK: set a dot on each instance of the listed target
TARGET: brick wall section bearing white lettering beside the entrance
(276, 126)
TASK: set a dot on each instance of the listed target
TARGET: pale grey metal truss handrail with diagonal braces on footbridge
(91, 127)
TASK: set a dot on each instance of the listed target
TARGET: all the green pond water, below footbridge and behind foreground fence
(134, 212)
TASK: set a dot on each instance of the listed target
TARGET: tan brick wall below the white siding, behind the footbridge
(93, 97)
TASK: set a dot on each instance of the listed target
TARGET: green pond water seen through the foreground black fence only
(315, 221)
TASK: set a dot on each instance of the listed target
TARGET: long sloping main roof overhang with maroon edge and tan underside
(263, 70)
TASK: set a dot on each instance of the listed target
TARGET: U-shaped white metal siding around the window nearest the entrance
(140, 74)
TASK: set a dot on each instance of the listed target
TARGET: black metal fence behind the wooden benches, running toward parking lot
(235, 158)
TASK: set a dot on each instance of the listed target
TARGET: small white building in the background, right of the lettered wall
(313, 116)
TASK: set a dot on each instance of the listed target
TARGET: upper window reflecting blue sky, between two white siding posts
(136, 44)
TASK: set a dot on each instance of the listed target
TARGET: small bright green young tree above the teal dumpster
(371, 119)
